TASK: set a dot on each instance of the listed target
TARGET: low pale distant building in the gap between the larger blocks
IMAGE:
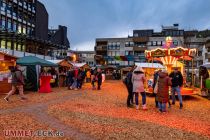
(87, 57)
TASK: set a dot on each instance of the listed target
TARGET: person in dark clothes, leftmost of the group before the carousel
(129, 86)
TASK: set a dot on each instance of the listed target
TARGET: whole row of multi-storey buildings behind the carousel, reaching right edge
(127, 51)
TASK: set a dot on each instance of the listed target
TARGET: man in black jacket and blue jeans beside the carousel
(177, 82)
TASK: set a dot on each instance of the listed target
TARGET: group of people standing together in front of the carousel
(135, 83)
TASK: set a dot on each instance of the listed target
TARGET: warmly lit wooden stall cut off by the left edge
(6, 62)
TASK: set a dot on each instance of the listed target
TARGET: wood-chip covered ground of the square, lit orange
(88, 114)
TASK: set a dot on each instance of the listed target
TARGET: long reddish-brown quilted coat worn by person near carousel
(163, 87)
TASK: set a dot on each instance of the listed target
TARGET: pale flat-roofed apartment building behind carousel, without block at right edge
(126, 51)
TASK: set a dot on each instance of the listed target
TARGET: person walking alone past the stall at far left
(17, 83)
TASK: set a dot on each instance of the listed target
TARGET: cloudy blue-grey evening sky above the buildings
(90, 19)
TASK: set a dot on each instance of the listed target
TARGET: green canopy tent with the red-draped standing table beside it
(36, 78)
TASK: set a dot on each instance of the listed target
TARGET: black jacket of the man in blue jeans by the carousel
(177, 79)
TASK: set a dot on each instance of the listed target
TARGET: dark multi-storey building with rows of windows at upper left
(24, 29)
